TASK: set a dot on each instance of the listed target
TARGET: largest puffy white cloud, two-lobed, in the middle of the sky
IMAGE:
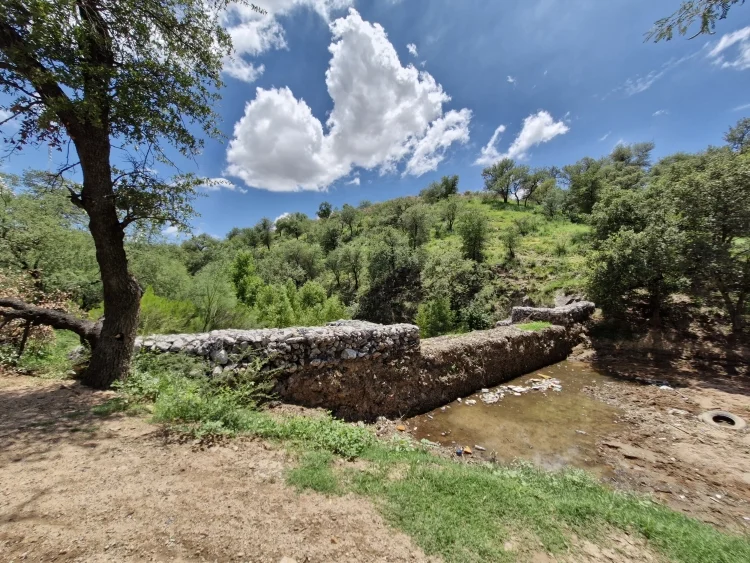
(383, 114)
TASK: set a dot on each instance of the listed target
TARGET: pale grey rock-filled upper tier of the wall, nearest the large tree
(291, 349)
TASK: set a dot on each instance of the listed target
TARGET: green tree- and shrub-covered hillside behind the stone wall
(629, 233)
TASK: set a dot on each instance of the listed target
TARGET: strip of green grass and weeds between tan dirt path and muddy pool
(458, 511)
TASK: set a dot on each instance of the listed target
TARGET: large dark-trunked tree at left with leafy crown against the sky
(143, 74)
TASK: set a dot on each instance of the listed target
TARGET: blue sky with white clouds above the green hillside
(322, 104)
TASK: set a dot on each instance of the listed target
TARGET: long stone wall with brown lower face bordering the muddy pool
(360, 371)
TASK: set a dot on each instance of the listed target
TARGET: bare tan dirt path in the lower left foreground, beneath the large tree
(78, 488)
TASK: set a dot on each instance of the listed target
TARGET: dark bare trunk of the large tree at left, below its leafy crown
(110, 359)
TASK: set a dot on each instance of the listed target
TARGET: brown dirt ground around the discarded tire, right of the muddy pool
(665, 450)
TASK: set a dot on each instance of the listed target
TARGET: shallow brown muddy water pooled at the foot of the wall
(552, 428)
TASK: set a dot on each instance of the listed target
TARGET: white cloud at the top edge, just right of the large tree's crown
(255, 33)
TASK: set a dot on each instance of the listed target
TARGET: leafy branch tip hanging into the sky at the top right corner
(705, 12)
